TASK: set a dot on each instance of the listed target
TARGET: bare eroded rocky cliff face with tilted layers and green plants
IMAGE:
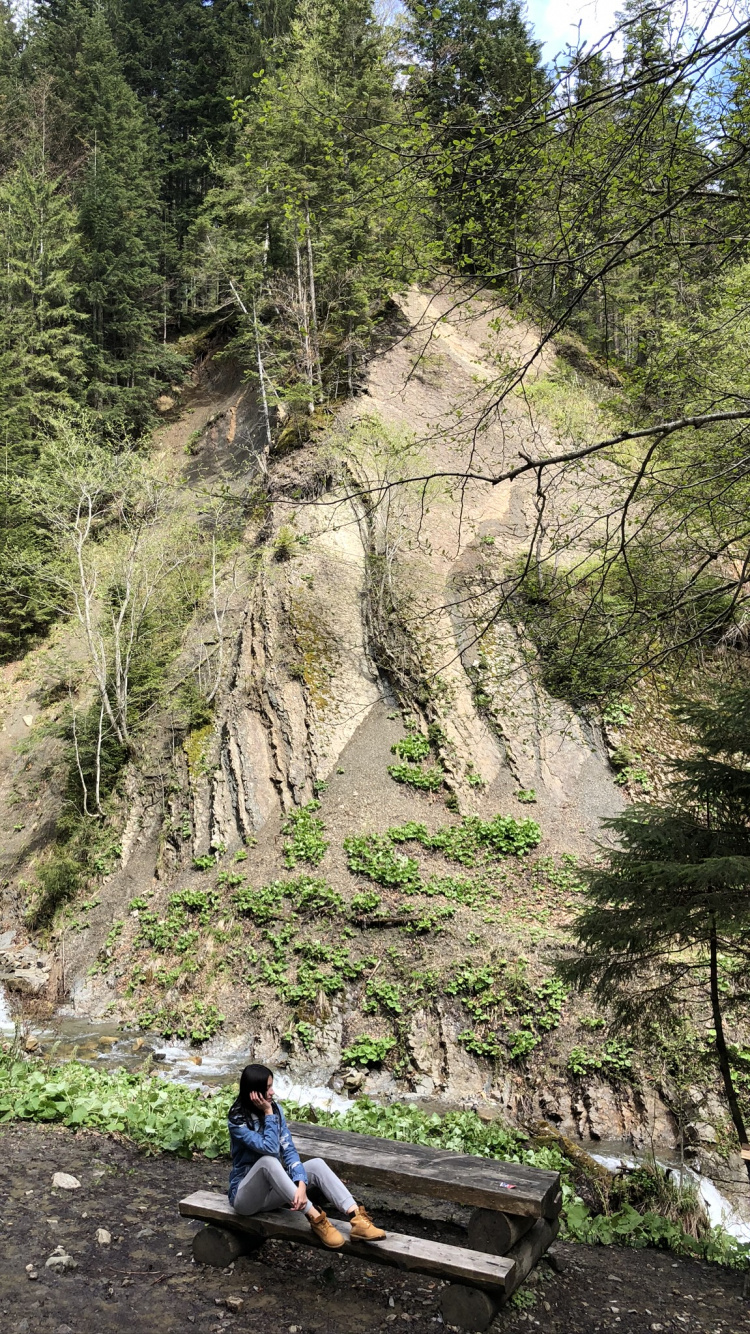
(354, 614)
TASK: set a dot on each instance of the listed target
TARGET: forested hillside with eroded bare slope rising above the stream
(374, 548)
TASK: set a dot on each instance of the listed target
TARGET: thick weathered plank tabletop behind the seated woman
(438, 1173)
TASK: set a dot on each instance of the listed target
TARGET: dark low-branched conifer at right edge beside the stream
(667, 920)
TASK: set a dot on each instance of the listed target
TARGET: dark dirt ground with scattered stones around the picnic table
(146, 1281)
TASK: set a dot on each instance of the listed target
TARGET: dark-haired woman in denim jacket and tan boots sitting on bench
(269, 1175)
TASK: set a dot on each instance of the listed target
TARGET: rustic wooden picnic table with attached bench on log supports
(514, 1221)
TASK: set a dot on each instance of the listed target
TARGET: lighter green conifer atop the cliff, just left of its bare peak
(313, 222)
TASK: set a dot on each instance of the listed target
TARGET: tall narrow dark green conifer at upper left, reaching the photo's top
(126, 242)
